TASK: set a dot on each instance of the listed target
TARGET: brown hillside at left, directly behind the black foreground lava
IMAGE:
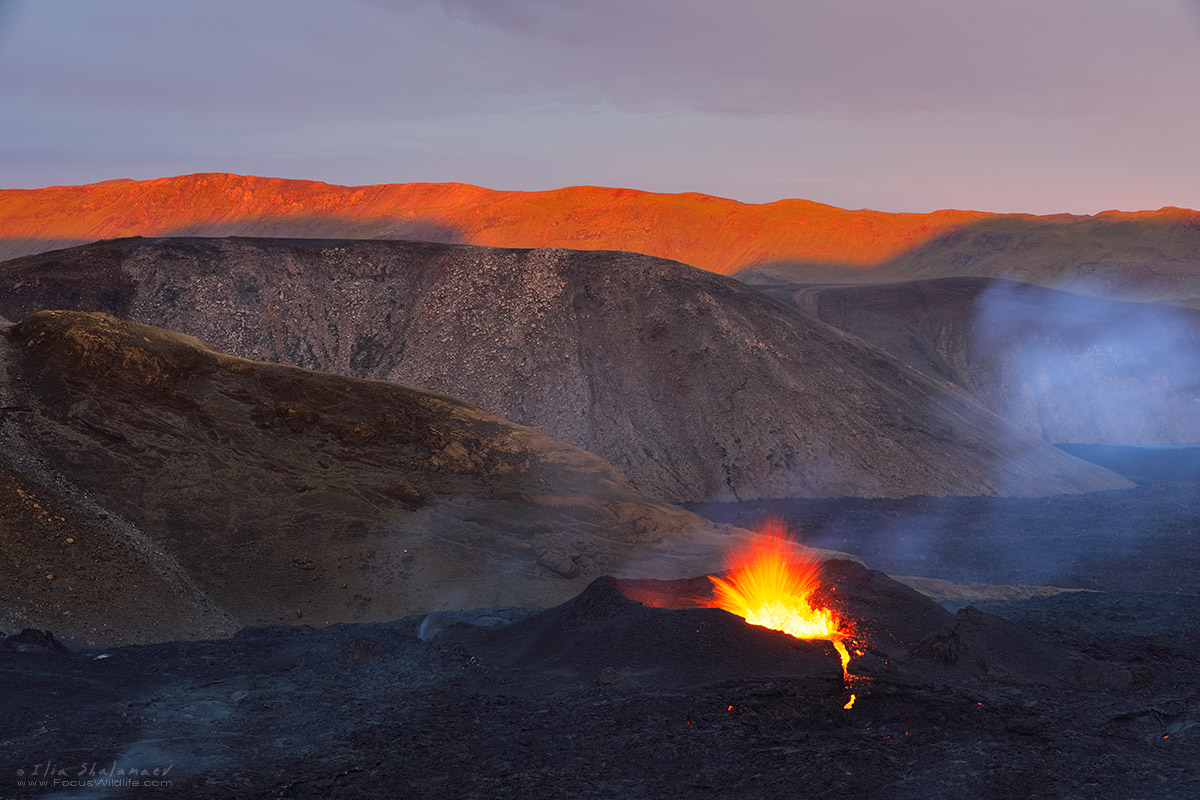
(154, 489)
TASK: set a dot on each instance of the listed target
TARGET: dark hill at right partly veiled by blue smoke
(1067, 368)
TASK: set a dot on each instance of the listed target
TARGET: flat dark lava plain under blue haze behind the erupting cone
(1105, 542)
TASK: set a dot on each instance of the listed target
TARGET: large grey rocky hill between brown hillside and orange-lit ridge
(691, 383)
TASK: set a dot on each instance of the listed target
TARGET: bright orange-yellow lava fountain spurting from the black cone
(771, 584)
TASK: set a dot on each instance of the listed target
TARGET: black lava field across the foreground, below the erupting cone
(376, 712)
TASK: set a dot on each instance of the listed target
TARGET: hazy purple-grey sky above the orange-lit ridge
(1035, 106)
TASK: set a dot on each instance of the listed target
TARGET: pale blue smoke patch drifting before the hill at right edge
(1076, 369)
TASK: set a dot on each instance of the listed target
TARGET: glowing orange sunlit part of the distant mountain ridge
(712, 233)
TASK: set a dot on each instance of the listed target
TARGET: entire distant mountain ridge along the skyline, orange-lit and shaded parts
(1151, 255)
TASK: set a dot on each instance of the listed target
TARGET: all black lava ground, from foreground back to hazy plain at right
(1081, 695)
